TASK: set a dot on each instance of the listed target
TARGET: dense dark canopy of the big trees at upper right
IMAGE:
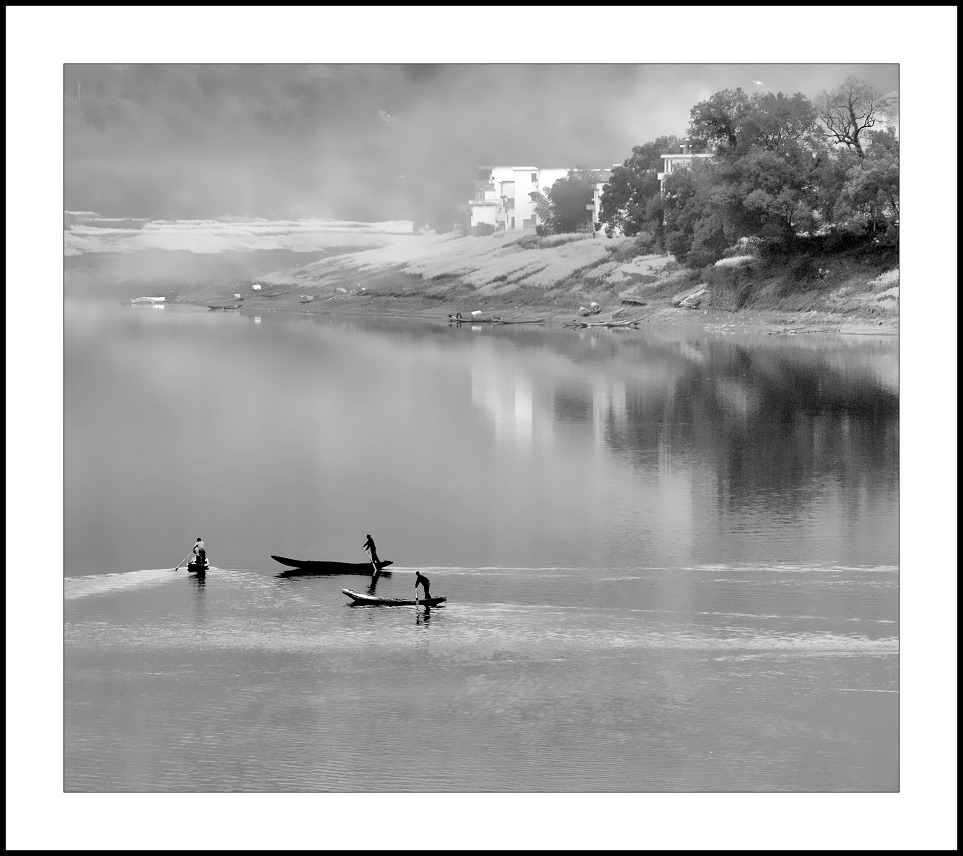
(775, 176)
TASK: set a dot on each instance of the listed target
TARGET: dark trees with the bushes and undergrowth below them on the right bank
(806, 195)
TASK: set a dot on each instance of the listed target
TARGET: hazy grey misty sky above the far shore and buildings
(371, 141)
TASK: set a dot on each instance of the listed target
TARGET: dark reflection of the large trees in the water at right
(776, 425)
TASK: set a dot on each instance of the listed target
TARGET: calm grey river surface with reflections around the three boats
(670, 557)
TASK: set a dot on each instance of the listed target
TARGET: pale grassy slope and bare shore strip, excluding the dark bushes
(524, 278)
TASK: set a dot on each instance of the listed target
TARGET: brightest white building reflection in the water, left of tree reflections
(502, 389)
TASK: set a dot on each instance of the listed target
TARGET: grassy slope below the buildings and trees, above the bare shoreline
(555, 274)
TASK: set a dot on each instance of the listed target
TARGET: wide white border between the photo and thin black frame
(921, 816)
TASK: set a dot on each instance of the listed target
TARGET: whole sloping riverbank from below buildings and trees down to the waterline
(552, 281)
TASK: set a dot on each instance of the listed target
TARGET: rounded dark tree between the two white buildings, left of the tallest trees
(631, 197)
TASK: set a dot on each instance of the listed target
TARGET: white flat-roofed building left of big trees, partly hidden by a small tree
(505, 196)
